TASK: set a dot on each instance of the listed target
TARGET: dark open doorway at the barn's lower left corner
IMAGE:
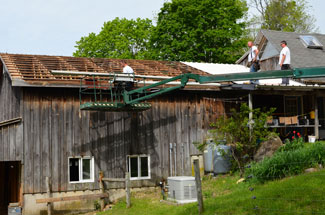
(9, 184)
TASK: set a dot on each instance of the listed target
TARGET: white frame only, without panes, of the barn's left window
(80, 160)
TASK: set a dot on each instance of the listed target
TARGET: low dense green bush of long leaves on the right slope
(288, 162)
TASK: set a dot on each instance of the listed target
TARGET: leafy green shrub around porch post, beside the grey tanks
(241, 133)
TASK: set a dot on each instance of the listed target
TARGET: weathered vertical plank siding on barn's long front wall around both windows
(55, 129)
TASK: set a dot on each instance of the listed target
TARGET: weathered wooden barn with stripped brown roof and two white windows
(43, 132)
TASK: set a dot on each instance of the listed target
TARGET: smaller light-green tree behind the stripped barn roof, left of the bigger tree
(120, 38)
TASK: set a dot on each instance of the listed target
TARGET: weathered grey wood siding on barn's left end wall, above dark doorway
(11, 147)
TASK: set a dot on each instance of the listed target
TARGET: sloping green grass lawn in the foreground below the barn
(303, 194)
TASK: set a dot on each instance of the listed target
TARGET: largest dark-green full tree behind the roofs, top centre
(200, 30)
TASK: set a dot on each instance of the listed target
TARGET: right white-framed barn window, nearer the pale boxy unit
(139, 166)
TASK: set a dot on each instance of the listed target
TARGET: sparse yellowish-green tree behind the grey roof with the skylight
(284, 15)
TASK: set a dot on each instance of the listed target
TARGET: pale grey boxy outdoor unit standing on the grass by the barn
(182, 189)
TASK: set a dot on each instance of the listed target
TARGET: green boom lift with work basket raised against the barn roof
(104, 91)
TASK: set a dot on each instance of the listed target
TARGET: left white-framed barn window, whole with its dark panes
(81, 169)
